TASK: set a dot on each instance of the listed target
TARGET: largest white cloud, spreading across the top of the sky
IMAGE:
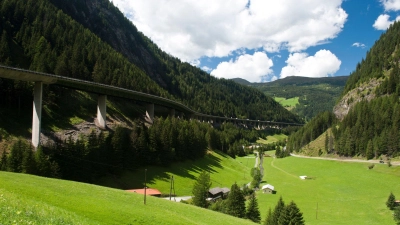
(190, 29)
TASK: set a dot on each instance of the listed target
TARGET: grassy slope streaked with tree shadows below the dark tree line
(224, 172)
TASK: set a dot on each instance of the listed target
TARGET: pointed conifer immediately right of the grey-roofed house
(236, 202)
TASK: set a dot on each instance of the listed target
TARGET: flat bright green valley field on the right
(343, 192)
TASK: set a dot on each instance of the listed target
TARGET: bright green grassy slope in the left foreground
(26, 199)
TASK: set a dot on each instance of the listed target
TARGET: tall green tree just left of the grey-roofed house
(200, 190)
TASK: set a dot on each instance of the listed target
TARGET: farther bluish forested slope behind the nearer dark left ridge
(189, 84)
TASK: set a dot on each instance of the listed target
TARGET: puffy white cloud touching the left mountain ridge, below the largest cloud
(250, 67)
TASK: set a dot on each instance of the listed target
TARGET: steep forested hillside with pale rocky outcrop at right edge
(370, 126)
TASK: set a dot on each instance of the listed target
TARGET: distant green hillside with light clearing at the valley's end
(304, 96)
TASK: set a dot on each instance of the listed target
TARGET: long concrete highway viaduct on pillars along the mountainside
(103, 90)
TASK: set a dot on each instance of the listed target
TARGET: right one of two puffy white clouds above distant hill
(324, 63)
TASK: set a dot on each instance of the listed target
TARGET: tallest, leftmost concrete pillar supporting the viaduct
(37, 113)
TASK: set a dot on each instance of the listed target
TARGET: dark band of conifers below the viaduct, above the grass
(167, 141)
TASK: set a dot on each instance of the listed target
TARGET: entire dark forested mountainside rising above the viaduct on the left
(61, 32)
